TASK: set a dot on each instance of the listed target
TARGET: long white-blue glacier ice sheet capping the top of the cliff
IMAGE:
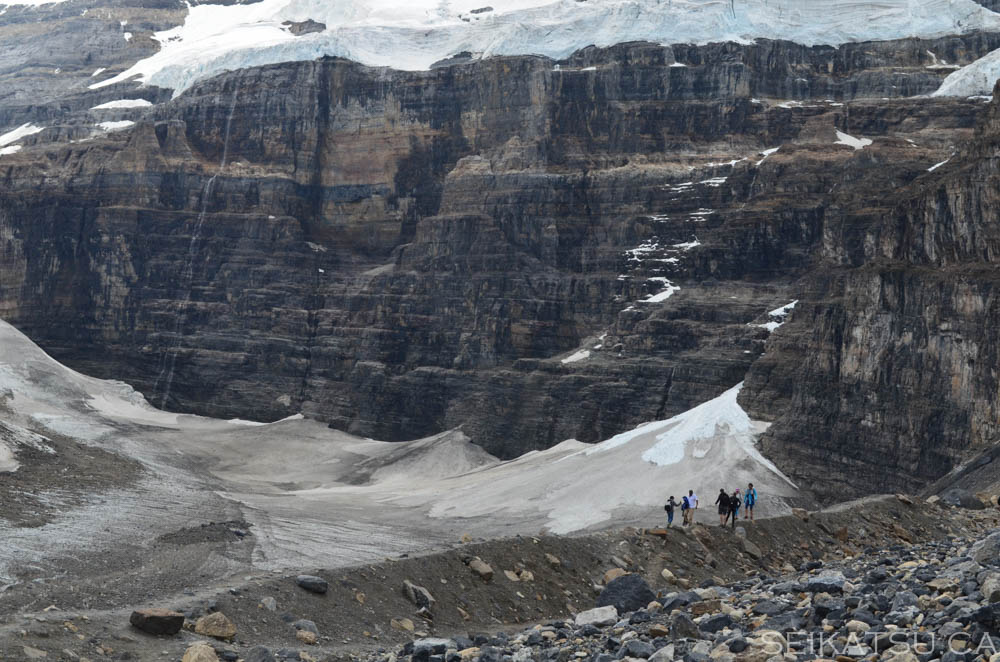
(413, 35)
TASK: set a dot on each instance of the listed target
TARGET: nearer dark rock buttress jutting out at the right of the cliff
(891, 361)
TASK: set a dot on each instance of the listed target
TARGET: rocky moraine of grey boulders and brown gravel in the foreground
(887, 578)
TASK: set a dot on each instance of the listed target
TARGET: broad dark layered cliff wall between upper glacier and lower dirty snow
(497, 245)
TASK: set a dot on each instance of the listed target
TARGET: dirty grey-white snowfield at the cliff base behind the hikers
(317, 497)
